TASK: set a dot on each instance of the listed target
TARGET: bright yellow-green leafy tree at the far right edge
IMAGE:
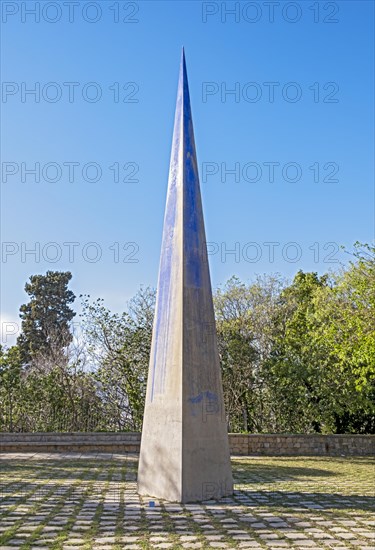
(344, 326)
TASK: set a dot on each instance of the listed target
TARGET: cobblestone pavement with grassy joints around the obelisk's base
(76, 501)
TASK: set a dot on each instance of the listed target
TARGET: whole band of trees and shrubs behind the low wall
(296, 356)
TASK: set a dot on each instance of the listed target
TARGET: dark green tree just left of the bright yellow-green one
(295, 373)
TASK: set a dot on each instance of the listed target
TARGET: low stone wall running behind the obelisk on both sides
(240, 444)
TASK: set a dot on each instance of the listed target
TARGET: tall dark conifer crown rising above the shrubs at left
(46, 317)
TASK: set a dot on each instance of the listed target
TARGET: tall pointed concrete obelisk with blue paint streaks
(184, 453)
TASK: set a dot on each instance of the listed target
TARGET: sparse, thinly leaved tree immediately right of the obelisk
(245, 330)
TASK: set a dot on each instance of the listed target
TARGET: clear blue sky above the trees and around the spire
(297, 132)
